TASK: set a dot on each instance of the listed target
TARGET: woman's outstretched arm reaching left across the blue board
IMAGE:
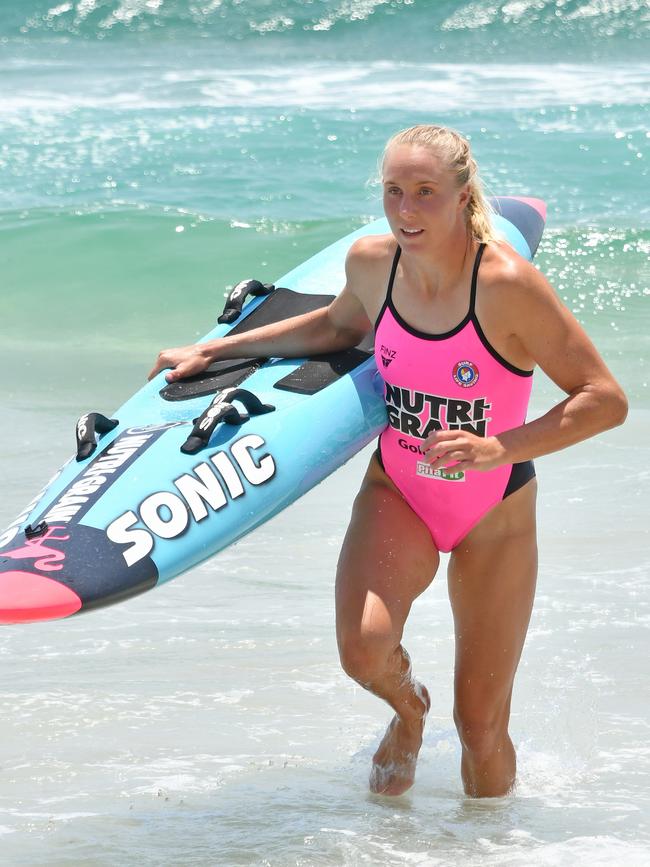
(341, 325)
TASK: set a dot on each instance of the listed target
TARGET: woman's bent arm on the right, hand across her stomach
(551, 336)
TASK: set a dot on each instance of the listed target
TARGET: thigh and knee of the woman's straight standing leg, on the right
(492, 576)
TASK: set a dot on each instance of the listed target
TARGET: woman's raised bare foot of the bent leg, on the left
(393, 765)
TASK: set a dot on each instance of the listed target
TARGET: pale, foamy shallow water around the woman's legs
(209, 722)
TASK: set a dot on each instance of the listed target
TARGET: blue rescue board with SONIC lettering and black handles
(183, 470)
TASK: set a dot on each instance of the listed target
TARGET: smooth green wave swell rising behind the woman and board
(92, 294)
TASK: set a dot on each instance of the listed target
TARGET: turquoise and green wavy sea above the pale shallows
(154, 153)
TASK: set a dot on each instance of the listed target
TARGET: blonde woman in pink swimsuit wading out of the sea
(461, 320)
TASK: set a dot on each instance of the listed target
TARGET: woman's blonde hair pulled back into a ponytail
(455, 149)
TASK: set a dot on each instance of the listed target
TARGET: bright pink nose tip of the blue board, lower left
(25, 597)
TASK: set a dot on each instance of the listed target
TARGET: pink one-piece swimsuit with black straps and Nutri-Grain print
(455, 380)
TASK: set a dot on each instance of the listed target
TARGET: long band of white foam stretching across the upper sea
(436, 87)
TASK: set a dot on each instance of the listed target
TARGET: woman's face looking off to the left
(421, 200)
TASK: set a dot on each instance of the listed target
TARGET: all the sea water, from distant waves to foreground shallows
(154, 152)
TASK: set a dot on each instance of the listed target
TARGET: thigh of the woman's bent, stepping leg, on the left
(388, 558)
